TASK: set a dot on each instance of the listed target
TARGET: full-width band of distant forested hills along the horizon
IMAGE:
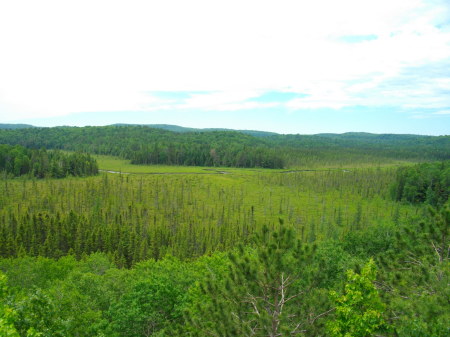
(144, 145)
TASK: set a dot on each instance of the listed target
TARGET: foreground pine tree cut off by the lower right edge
(417, 276)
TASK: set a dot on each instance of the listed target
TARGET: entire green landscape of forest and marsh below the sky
(134, 231)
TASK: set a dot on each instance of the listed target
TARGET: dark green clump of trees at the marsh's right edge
(425, 183)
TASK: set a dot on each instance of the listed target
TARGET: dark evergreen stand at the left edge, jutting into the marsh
(18, 160)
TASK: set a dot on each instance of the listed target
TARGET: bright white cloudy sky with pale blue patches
(284, 66)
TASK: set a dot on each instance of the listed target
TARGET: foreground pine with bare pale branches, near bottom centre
(264, 292)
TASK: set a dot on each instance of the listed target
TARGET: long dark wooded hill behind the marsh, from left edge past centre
(143, 145)
